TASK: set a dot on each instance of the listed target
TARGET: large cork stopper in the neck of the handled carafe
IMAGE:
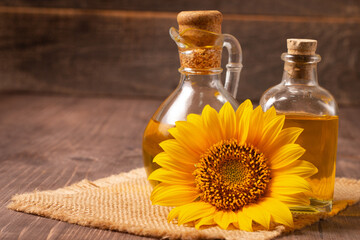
(205, 50)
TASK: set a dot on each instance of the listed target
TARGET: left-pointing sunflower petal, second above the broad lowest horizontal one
(164, 160)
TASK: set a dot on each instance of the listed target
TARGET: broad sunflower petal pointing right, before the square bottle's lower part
(289, 184)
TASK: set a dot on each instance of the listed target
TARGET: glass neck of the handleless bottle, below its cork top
(300, 69)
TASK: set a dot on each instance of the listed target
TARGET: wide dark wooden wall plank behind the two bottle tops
(101, 52)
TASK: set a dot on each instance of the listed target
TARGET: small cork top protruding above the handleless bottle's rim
(301, 46)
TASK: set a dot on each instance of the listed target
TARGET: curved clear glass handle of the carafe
(234, 65)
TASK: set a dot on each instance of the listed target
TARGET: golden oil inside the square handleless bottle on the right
(319, 138)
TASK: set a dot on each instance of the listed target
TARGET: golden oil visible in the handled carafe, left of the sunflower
(154, 134)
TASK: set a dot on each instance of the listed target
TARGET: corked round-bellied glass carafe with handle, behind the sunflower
(200, 44)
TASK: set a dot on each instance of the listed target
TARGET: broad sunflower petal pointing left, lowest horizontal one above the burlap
(173, 195)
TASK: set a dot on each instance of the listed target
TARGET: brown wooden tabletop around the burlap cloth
(47, 142)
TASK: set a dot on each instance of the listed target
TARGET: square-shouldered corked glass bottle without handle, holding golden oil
(307, 105)
